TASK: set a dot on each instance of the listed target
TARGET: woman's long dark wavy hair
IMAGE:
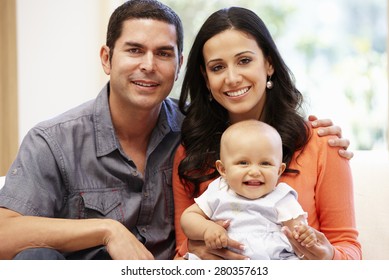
(205, 121)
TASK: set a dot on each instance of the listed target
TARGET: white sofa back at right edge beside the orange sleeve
(371, 195)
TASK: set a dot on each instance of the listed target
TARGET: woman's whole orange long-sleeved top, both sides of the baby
(325, 191)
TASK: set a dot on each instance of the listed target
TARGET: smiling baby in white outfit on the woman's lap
(248, 197)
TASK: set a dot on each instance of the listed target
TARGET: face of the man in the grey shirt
(145, 63)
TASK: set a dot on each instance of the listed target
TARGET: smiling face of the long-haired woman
(236, 73)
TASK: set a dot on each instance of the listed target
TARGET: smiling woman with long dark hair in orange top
(235, 72)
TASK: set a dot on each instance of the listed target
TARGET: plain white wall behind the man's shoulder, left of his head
(58, 55)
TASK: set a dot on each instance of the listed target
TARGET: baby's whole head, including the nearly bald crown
(251, 158)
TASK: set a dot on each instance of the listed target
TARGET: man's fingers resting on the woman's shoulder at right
(328, 128)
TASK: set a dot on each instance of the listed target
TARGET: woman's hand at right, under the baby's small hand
(321, 250)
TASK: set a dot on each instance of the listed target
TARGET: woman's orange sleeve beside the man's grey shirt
(181, 201)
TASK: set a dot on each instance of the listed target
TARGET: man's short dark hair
(142, 9)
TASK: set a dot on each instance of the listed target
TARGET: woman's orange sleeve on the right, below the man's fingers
(335, 202)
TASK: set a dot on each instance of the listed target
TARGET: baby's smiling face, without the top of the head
(252, 165)
